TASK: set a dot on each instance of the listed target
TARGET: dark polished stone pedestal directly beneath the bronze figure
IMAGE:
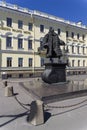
(55, 71)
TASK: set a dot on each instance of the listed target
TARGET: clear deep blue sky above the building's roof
(72, 10)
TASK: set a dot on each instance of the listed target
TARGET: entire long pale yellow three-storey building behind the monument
(21, 31)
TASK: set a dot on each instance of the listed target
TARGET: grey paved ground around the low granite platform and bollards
(68, 114)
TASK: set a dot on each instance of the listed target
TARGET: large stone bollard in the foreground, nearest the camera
(36, 116)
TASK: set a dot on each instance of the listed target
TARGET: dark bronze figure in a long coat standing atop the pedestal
(52, 43)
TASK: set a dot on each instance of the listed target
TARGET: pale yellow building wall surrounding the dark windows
(37, 19)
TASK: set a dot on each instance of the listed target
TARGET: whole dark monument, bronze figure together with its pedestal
(54, 62)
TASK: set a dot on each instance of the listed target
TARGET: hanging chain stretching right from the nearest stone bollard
(65, 106)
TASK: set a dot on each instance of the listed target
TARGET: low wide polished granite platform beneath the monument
(54, 92)
